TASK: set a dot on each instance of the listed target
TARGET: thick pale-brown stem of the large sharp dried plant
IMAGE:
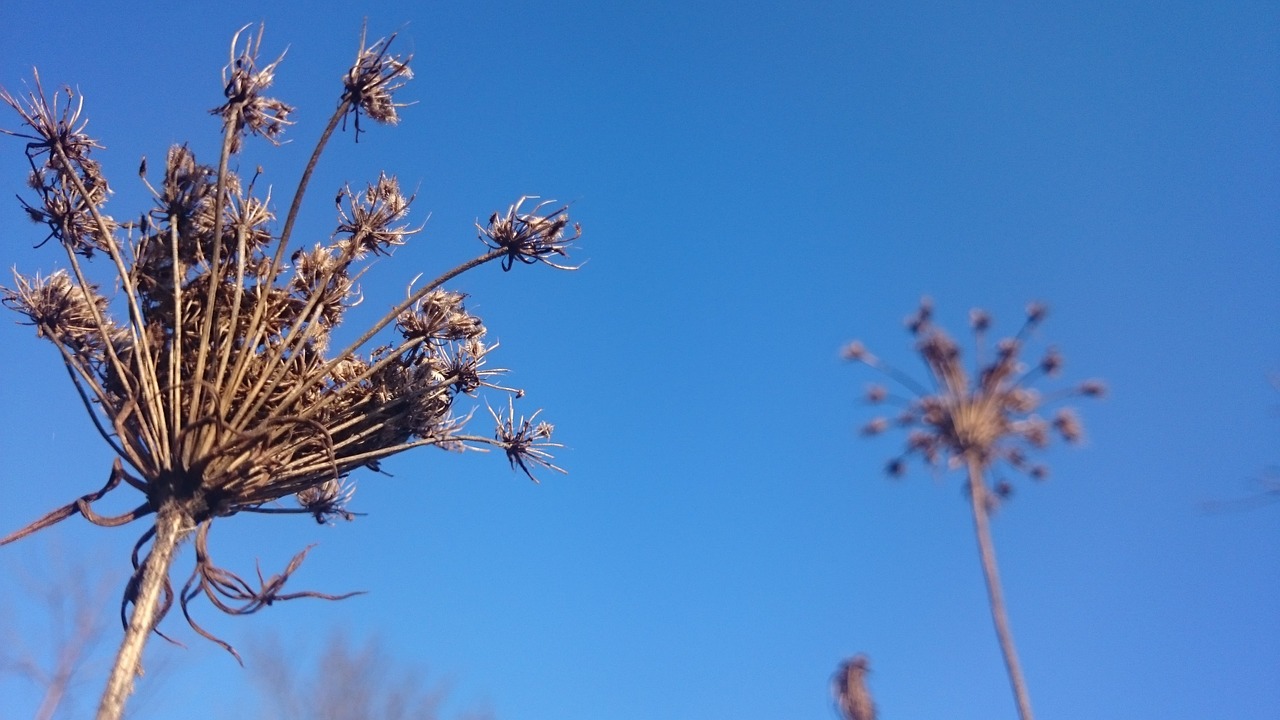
(172, 526)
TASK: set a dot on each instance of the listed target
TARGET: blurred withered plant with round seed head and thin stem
(979, 423)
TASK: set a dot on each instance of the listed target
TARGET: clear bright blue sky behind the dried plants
(758, 184)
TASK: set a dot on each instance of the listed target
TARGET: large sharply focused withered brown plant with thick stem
(205, 359)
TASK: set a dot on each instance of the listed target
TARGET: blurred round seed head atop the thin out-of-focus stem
(993, 416)
